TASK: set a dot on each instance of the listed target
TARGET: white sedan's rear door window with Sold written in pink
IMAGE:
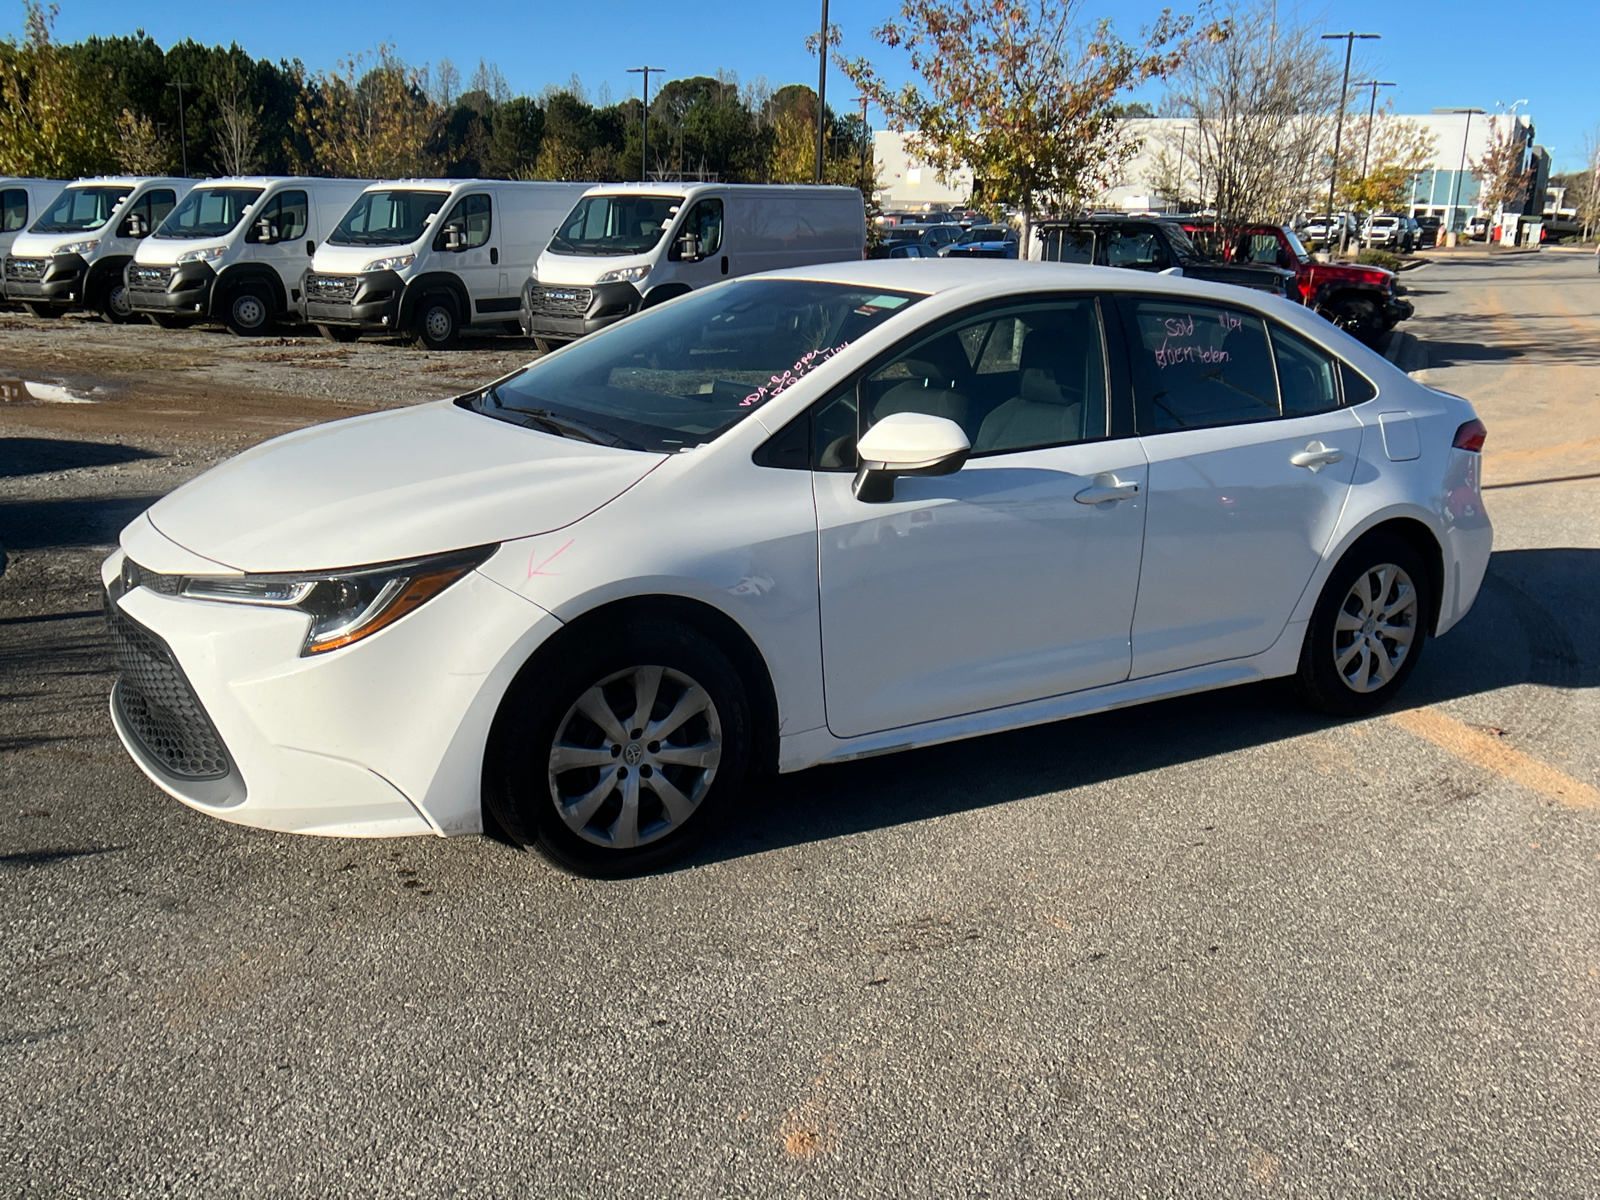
(1199, 366)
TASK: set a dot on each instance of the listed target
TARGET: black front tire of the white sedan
(522, 796)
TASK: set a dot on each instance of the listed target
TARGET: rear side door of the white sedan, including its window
(1252, 458)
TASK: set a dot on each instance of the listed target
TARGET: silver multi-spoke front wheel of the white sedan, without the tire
(634, 758)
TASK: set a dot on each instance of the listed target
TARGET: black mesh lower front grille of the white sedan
(159, 706)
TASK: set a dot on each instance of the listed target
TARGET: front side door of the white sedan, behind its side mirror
(1009, 582)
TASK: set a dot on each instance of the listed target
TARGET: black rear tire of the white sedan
(1329, 679)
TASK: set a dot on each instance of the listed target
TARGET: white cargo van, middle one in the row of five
(238, 250)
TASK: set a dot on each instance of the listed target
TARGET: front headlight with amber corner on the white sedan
(343, 606)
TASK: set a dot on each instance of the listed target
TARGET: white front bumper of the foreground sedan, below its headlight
(378, 740)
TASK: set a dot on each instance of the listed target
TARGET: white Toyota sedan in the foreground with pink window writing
(790, 521)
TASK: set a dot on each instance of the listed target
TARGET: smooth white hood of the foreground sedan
(393, 486)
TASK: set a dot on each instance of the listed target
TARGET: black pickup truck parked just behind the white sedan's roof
(1150, 244)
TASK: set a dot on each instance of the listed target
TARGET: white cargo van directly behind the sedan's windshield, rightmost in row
(626, 247)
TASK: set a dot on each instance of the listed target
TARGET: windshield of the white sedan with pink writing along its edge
(681, 375)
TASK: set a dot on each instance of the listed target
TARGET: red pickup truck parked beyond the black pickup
(1359, 300)
